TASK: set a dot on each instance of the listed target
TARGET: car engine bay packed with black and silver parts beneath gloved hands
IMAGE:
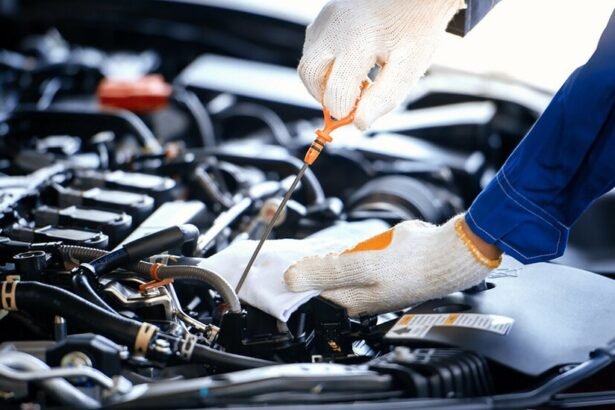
(121, 169)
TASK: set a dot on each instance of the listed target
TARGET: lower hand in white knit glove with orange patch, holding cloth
(410, 263)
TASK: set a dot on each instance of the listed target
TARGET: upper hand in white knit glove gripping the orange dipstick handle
(353, 35)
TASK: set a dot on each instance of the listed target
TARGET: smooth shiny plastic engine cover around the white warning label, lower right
(560, 315)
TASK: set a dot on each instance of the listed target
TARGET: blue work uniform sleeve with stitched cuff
(564, 163)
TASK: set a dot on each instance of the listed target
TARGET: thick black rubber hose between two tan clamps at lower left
(35, 296)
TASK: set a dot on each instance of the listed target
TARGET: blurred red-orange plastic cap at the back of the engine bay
(146, 94)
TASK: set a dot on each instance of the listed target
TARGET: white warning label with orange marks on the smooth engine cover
(416, 326)
